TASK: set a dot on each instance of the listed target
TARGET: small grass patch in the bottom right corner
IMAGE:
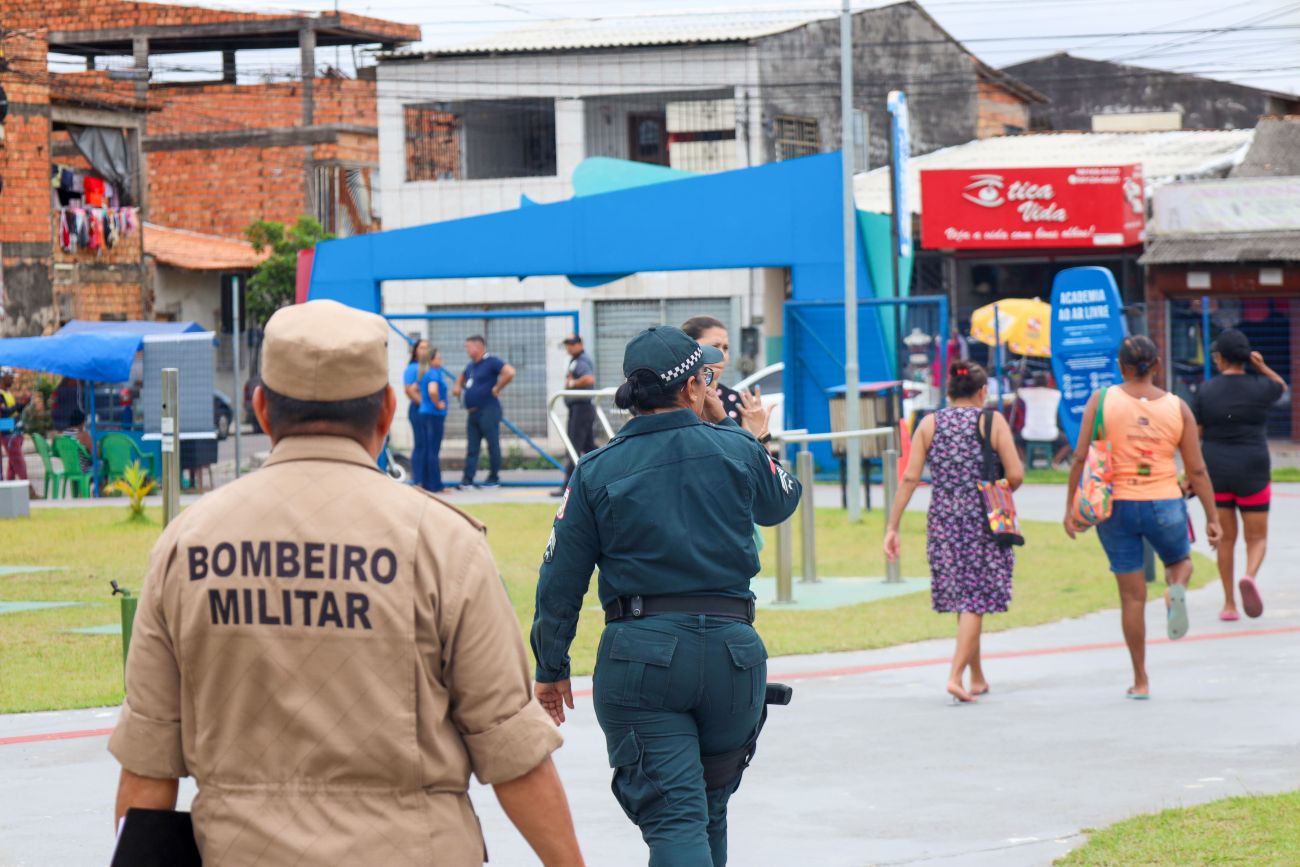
(1259, 833)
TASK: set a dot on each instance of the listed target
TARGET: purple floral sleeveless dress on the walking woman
(969, 570)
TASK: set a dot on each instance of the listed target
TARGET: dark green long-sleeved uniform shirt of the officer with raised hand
(666, 509)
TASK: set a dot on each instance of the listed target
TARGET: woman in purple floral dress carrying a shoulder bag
(970, 573)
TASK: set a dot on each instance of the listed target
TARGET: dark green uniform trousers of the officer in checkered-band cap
(670, 690)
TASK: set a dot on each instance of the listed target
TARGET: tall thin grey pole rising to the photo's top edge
(852, 409)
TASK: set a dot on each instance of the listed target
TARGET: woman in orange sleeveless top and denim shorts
(1146, 426)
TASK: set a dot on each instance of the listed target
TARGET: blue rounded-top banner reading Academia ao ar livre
(1087, 330)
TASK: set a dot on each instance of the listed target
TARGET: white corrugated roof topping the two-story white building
(627, 32)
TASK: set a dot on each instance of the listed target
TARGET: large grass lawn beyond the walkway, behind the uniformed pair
(45, 669)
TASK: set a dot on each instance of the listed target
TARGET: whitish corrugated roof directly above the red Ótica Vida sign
(1164, 157)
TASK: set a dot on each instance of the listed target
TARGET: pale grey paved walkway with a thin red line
(872, 765)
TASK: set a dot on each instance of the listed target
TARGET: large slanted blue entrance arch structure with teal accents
(644, 219)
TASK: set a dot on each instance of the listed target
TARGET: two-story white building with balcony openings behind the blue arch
(483, 127)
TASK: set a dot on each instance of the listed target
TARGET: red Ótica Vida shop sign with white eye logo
(1019, 209)
